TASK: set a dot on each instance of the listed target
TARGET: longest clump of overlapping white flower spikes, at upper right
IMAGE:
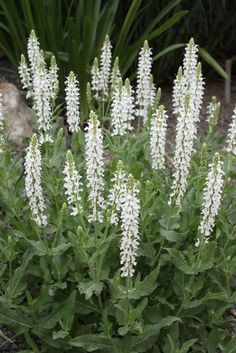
(187, 100)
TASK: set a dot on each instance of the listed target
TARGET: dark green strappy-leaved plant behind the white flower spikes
(74, 31)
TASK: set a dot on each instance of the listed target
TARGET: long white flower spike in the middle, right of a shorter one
(95, 167)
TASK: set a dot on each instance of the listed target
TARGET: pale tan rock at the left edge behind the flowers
(16, 113)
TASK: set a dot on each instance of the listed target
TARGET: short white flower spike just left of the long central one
(72, 185)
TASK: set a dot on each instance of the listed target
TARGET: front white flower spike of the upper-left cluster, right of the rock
(42, 104)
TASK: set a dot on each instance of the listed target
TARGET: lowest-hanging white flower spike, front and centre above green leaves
(130, 209)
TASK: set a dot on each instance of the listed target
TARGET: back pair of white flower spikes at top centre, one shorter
(101, 75)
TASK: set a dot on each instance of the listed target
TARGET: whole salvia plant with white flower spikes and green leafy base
(110, 241)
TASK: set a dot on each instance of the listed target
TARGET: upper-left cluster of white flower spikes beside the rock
(41, 85)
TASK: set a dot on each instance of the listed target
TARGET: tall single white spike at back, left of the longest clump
(145, 91)
